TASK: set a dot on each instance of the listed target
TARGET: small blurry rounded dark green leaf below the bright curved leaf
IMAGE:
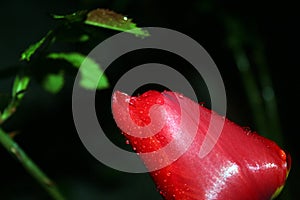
(54, 82)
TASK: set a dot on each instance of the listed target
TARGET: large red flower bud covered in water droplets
(241, 164)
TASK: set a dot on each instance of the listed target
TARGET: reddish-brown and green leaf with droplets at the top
(111, 20)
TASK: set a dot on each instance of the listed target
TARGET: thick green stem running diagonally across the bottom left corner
(13, 148)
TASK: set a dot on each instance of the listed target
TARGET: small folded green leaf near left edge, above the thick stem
(19, 86)
